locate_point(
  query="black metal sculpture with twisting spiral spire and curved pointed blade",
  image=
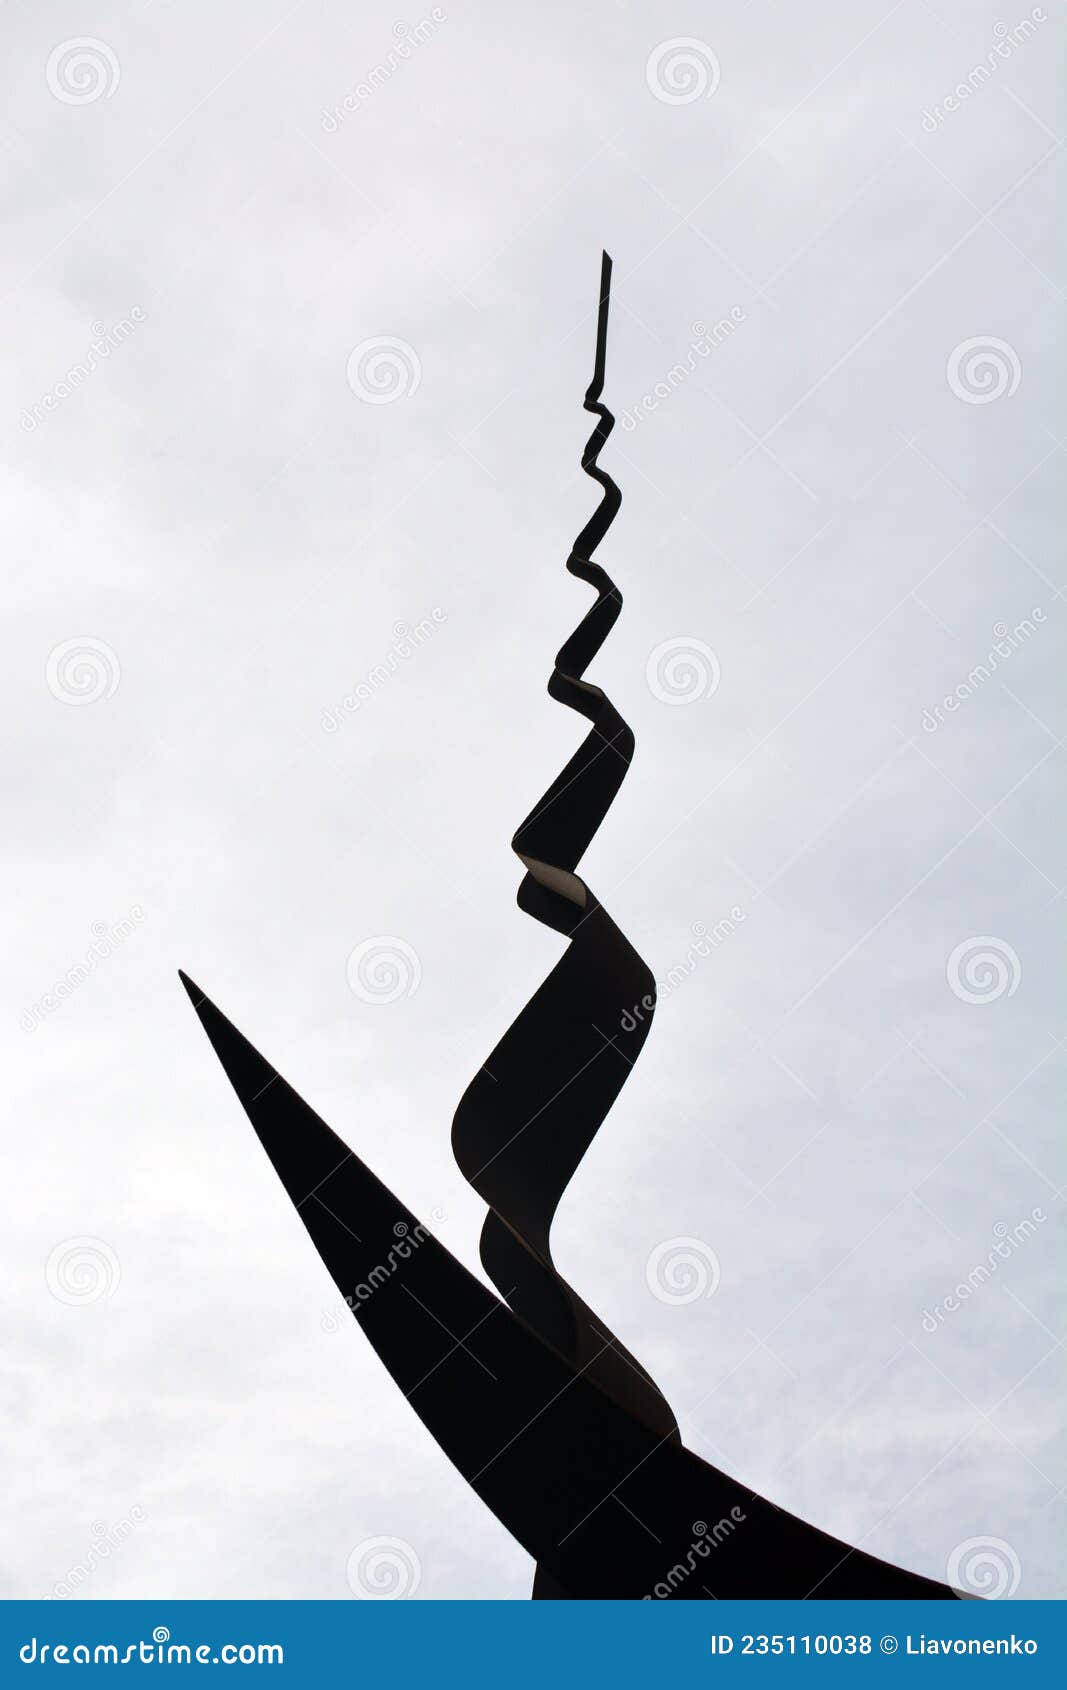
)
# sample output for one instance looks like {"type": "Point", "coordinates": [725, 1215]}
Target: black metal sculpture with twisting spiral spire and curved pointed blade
{"type": "Point", "coordinates": [545, 1414]}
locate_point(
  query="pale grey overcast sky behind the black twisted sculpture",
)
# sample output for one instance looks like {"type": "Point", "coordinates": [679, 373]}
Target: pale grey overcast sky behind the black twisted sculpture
{"type": "Point", "coordinates": [214, 537]}
